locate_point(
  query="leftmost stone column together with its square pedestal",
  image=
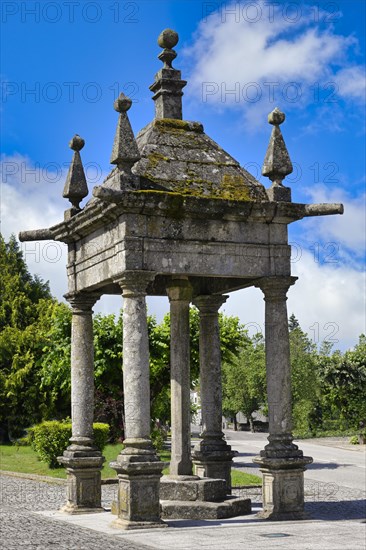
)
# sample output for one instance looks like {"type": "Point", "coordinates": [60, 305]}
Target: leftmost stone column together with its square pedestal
{"type": "Point", "coordinates": [82, 459]}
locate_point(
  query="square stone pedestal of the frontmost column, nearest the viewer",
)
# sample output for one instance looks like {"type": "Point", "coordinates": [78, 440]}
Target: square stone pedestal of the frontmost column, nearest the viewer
{"type": "Point", "coordinates": [139, 483]}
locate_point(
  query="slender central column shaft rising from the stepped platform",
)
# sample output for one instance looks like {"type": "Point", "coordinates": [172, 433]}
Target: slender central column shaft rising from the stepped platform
{"type": "Point", "coordinates": [180, 295]}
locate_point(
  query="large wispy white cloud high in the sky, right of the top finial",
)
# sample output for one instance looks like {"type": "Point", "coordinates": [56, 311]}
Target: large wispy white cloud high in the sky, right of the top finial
{"type": "Point", "coordinates": [277, 59]}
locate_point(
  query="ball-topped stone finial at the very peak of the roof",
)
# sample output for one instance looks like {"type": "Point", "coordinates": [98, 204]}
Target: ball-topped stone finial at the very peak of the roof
{"type": "Point", "coordinates": [168, 85]}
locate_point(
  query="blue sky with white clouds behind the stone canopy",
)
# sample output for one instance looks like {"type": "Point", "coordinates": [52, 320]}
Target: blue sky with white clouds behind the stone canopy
{"type": "Point", "coordinates": [63, 63]}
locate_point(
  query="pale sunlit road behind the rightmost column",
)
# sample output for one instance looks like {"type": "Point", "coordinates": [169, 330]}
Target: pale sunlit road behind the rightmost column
{"type": "Point", "coordinates": [333, 464]}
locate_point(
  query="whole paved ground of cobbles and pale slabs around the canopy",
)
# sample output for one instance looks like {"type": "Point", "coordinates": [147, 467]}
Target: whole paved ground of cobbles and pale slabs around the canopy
{"type": "Point", "coordinates": [29, 520]}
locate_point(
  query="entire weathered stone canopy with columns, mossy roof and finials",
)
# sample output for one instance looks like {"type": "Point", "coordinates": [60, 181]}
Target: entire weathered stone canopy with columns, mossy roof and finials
{"type": "Point", "coordinates": [178, 217]}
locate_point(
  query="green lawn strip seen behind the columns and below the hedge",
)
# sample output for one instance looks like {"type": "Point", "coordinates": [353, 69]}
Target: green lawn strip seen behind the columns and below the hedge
{"type": "Point", "coordinates": [23, 459]}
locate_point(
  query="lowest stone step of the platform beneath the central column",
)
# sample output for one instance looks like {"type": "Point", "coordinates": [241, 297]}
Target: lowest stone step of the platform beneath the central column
{"type": "Point", "coordinates": [229, 508]}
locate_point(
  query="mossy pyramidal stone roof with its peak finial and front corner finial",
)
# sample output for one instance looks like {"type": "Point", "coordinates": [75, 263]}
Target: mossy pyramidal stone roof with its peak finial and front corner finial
{"type": "Point", "coordinates": [176, 155]}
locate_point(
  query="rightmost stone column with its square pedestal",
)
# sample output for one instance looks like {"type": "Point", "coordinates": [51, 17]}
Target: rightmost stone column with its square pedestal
{"type": "Point", "coordinates": [282, 463]}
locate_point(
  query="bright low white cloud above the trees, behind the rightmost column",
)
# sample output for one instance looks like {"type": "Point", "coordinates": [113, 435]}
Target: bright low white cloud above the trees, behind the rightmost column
{"type": "Point", "coordinates": [327, 300]}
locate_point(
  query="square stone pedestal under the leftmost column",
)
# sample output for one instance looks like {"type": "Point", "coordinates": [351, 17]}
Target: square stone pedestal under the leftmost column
{"type": "Point", "coordinates": [83, 490]}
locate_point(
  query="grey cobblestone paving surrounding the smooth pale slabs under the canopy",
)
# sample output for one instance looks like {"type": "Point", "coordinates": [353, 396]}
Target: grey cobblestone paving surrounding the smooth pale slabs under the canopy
{"type": "Point", "coordinates": [22, 529]}
